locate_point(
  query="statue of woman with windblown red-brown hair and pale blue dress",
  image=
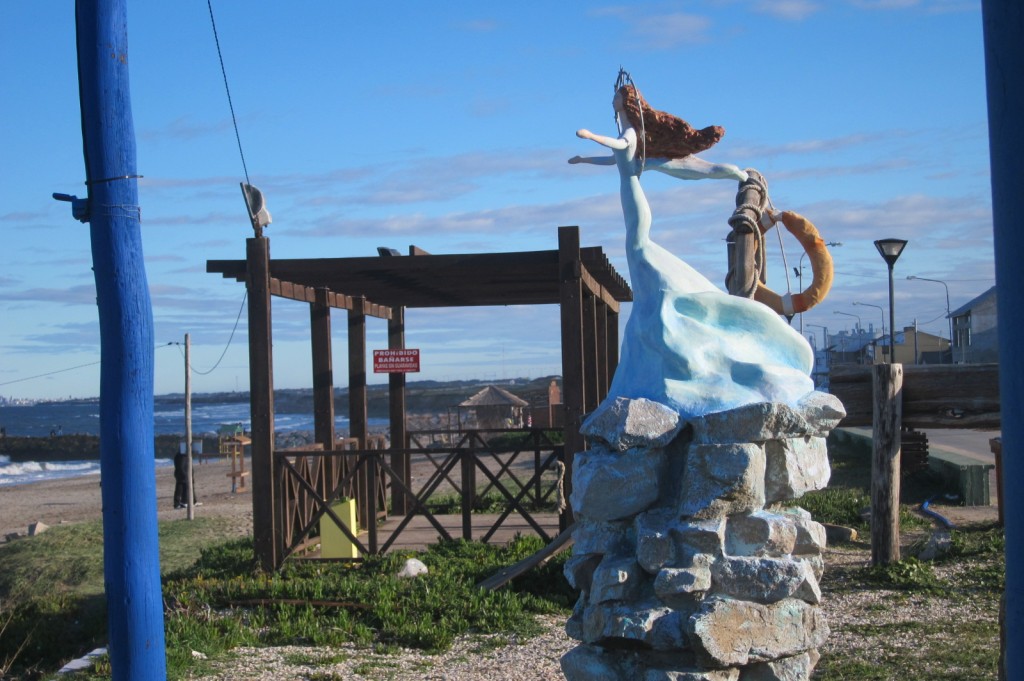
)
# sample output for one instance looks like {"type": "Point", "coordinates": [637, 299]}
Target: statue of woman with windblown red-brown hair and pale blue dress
{"type": "Point", "coordinates": [689, 345]}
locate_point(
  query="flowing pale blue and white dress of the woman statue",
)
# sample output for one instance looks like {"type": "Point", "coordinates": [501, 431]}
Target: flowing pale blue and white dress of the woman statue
{"type": "Point", "coordinates": [689, 345]}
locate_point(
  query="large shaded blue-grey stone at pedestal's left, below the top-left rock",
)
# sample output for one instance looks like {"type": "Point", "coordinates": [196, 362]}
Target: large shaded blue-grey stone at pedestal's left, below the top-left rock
{"type": "Point", "coordinates": [610, 487]}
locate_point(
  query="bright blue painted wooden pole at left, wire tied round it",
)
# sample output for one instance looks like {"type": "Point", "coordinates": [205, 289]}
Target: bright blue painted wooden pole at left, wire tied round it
{"type": "Point", "coordinates": [132, 562]}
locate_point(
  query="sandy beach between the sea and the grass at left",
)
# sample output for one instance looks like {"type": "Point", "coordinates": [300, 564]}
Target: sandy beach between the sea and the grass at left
{"type": "Point", "coordinates": [78, 499]}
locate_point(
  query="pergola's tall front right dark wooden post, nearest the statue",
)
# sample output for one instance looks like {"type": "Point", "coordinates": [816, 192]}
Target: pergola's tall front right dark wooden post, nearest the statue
{"type": "Point", "coordinates": [571, 294]}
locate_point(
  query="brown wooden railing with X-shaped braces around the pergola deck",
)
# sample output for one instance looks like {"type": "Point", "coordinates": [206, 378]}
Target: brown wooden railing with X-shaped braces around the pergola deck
{"type": "Point", "coordinates": [521, 477]}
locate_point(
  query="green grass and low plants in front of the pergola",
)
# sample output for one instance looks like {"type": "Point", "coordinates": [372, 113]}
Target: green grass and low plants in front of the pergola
{"type": "Point", "coordinates": [220, 602]}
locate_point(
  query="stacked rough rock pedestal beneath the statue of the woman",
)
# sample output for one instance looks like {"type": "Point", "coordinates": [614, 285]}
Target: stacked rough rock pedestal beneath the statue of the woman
{"type": "Point", "coordinates": [692, 561]}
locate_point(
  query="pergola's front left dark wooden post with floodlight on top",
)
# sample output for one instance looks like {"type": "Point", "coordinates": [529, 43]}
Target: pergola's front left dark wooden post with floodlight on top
{"type": "Point", "coordinates": [267, 530]}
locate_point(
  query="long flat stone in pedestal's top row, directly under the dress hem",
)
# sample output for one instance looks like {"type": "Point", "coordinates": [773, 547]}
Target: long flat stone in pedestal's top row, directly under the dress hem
{"type": "Point", "coordinates": [752, 423]}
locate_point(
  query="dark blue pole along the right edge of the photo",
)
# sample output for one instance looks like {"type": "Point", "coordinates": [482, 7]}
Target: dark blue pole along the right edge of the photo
{"type": "Point", "coordinates": [1004, 26]}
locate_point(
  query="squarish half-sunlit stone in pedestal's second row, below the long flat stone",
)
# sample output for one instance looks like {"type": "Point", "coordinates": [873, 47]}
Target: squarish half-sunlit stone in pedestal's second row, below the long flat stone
{"type": "Point", "coordinates": [722, 480]}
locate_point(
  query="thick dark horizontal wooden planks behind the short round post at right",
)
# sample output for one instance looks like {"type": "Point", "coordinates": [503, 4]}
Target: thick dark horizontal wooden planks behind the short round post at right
{"type": "Point", "coordinates": [934, 397]}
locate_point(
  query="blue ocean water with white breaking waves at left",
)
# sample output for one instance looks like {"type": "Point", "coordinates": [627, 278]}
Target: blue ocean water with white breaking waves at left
{"type": "Point", "coordinates": [83, 418]}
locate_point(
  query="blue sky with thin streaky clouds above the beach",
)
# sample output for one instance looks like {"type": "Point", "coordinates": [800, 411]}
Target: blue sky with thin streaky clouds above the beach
{"type": "Point", "coordinates": [449, 125]}
